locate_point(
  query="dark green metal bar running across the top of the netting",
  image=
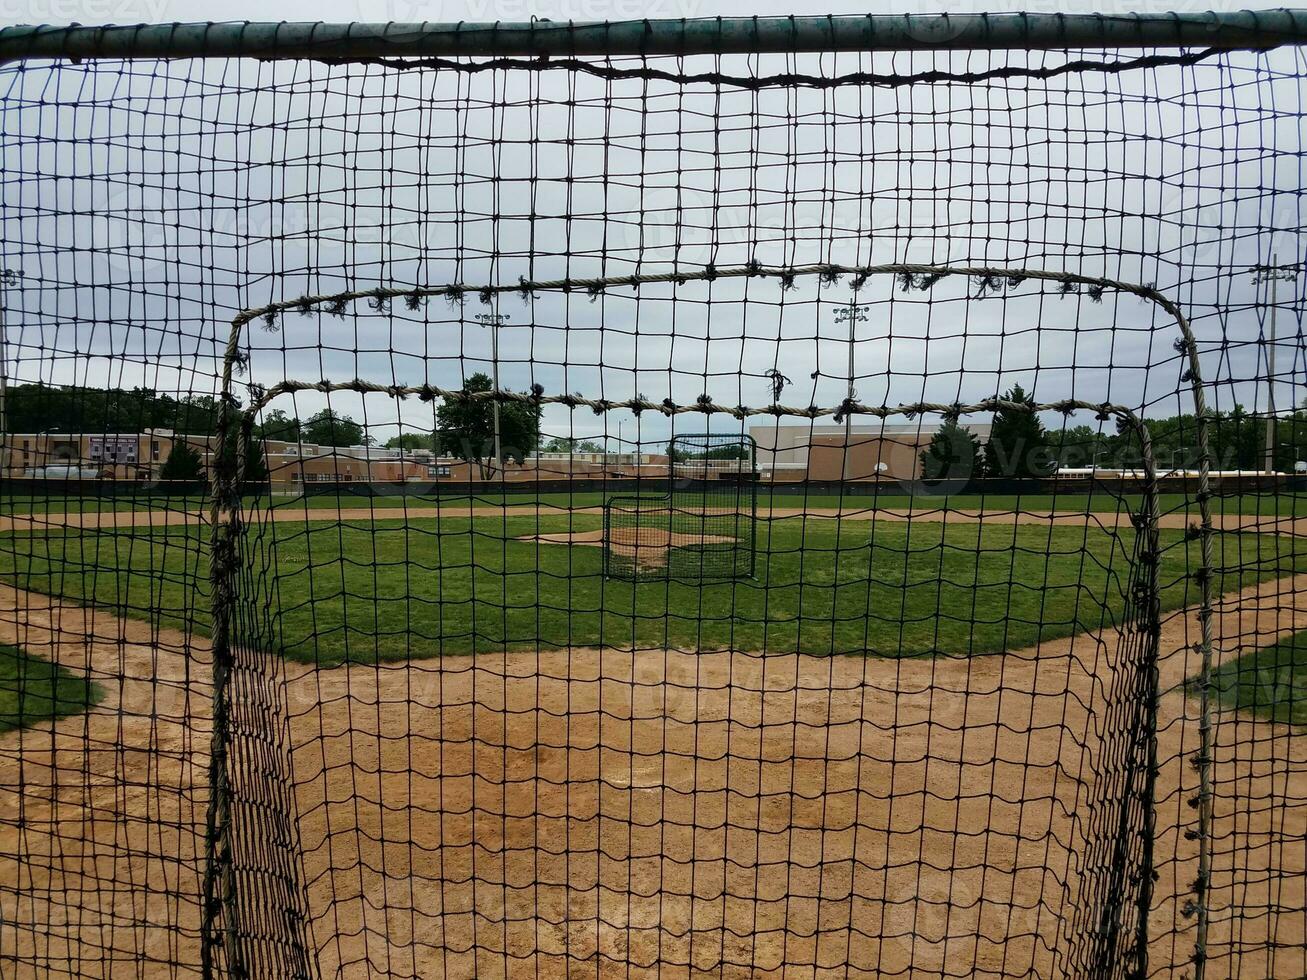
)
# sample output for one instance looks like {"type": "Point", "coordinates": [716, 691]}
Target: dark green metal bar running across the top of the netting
{"type": "Point", "coordinates": [1244, 29]}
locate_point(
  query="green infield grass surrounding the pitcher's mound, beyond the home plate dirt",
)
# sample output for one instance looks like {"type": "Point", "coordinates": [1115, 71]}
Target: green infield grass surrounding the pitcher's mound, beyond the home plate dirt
{"type": "Point", "coordinates": [389, 590]}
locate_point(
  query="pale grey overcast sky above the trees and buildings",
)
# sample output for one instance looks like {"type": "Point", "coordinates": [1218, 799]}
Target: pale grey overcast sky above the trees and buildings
{"type": "Point", "coordinates": [147, 203]}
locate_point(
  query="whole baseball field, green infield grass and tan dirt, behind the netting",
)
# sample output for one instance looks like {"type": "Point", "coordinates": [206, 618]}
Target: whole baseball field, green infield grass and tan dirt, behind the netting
{"type": "Point", "coordinates": [879, 752]}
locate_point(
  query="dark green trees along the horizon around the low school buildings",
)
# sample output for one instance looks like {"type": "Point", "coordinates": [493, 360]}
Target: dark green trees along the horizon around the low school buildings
{"type": "Point", "coordinates": [1019, 446]}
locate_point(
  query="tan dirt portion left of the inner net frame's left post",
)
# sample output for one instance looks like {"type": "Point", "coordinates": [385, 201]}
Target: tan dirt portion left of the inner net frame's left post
{"type": "Point", "coordinates": [103, 815]}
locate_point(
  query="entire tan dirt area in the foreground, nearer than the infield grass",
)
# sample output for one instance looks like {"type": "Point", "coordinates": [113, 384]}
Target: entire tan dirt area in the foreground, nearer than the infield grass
{"type": "Point", "coordinates": [607, 813]}
